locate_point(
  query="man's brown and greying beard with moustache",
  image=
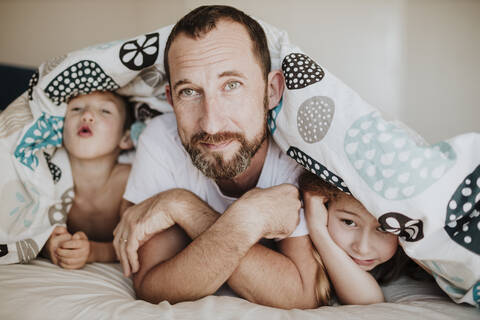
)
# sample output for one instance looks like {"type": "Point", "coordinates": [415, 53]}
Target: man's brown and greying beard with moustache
{"type": "Point", "coordinates": [219, 168]}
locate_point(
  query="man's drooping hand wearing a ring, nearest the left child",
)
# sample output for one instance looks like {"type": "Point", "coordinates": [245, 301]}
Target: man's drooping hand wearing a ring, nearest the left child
{"type": "Point", "coordinates": [137, 225]}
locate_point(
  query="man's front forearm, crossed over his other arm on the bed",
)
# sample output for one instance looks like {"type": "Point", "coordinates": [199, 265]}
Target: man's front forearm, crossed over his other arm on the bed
{"type": "Point", "coordinates": [201, 268]}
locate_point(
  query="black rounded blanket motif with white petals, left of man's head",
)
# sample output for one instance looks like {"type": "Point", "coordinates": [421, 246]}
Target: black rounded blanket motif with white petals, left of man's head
{"type": "Point", "coordinates": [140, 53]}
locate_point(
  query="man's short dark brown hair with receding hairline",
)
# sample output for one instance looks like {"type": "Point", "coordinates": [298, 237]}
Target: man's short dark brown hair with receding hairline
{"type": "Point", "coordinates": [203, 19]}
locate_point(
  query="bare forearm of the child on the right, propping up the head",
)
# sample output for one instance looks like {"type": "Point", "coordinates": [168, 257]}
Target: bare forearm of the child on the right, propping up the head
{"type": "Point", "coordinates": [352, 284]}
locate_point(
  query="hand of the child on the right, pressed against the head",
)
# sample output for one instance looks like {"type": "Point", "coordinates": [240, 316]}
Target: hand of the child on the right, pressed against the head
{"type": "Point", "coordinates": [315, 211]}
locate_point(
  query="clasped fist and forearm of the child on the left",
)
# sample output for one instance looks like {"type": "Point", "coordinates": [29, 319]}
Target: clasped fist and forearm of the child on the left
{"type": "Point", "coordinates": [78, 251]}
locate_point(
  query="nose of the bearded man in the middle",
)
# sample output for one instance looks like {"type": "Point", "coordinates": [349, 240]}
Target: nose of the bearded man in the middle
{"type": "Point", "coordinates": [213, 118]}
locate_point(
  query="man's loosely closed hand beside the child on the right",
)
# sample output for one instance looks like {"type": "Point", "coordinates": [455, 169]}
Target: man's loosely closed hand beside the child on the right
{"type": "Point", "coordinates": [275, 209]}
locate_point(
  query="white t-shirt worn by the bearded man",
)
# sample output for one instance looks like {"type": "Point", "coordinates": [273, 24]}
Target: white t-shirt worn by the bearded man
{"type": "Point", "coordinates": [162, 163]}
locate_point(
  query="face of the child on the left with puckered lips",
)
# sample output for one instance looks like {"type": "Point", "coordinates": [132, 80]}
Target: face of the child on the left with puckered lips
{"type": "Point", "coordinates": [94, 125]}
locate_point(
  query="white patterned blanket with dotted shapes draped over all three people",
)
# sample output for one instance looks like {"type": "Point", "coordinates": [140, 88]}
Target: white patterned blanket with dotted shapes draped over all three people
{"type": "Point", "coordinates": [428, 195]}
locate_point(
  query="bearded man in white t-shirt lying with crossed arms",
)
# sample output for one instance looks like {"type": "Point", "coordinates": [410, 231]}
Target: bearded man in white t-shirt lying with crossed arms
{"type": "Point", "coordinates": [221, 88]}
